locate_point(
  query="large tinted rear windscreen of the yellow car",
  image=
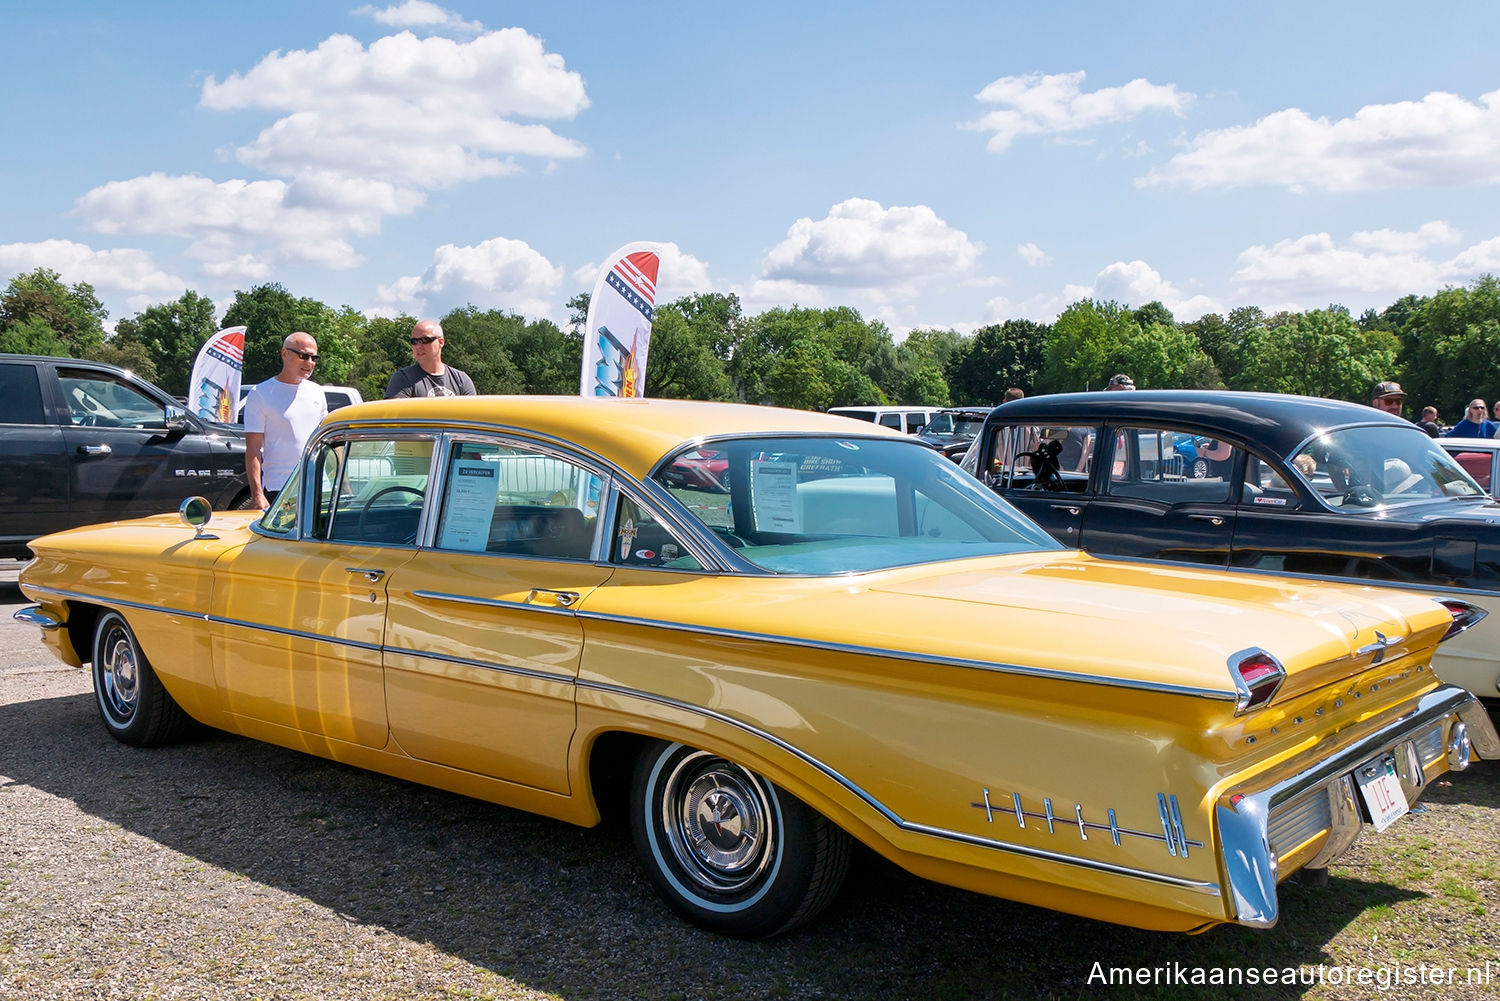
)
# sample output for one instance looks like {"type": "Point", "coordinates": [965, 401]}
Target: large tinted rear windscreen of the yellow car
{"type": "Point", "coordinates": [815, 505]}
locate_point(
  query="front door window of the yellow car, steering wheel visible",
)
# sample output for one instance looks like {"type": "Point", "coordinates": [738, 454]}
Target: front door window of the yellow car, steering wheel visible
{"type": "Point", "coordinates": [373, 490]}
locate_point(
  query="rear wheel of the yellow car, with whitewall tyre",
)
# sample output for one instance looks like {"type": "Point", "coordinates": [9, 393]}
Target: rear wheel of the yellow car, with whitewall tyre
{"type": "Point", "coordinates": [728, 850]}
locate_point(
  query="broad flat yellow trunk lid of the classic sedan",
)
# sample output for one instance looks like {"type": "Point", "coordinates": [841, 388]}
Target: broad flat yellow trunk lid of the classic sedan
{"type": "Point", "coordinates": [1150, 625]}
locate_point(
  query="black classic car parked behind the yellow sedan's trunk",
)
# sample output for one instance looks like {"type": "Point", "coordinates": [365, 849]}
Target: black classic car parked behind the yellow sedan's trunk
{"type": "Point", "coordinates": [1259, 482]}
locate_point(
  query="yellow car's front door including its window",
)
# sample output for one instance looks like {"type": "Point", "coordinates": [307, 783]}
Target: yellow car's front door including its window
{"type": "Point", "coordinates": [301, 621]}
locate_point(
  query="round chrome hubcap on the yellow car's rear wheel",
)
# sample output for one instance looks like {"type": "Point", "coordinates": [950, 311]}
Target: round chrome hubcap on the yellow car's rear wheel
{"type": "Point", "coordinates": [718, 822]}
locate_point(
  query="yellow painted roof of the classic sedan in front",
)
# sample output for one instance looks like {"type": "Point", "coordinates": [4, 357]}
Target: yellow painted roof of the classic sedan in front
{"type": "Point", "coordinates": [635, 433]}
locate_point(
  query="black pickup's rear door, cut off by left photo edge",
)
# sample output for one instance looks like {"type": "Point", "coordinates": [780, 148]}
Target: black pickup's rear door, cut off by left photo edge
{"type": "Point", "coordinates": [34, 464]}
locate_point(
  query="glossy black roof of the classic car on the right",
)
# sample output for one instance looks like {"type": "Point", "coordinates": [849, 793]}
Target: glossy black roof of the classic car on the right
{"type": "Point", "coordinates": [1276, 421]}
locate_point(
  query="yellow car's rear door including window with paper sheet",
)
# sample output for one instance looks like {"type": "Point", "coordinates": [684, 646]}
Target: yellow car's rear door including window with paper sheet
{"type": "Point", "coordinates": [484, 639]}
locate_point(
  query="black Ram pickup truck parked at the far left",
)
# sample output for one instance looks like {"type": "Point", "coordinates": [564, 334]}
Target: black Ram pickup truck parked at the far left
{"type": "Point", "coordinates": [83, 442]}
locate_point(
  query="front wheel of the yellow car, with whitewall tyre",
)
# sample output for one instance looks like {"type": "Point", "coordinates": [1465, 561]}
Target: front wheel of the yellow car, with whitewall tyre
{"type": "Point", "coordinates": [137, 711]}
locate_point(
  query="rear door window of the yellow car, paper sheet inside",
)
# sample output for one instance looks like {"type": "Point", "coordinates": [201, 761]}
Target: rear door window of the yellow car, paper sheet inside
{"type": "Point", "coordinates": [518, 502]}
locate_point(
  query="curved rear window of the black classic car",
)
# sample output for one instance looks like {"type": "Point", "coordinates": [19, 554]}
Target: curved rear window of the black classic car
{"type": "Point", "coordinates": [1363, 469]}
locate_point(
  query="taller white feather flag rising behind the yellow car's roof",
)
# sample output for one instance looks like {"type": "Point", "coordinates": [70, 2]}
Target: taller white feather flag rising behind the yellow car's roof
{"type": "Point", "coordinates": [619, 329]}
